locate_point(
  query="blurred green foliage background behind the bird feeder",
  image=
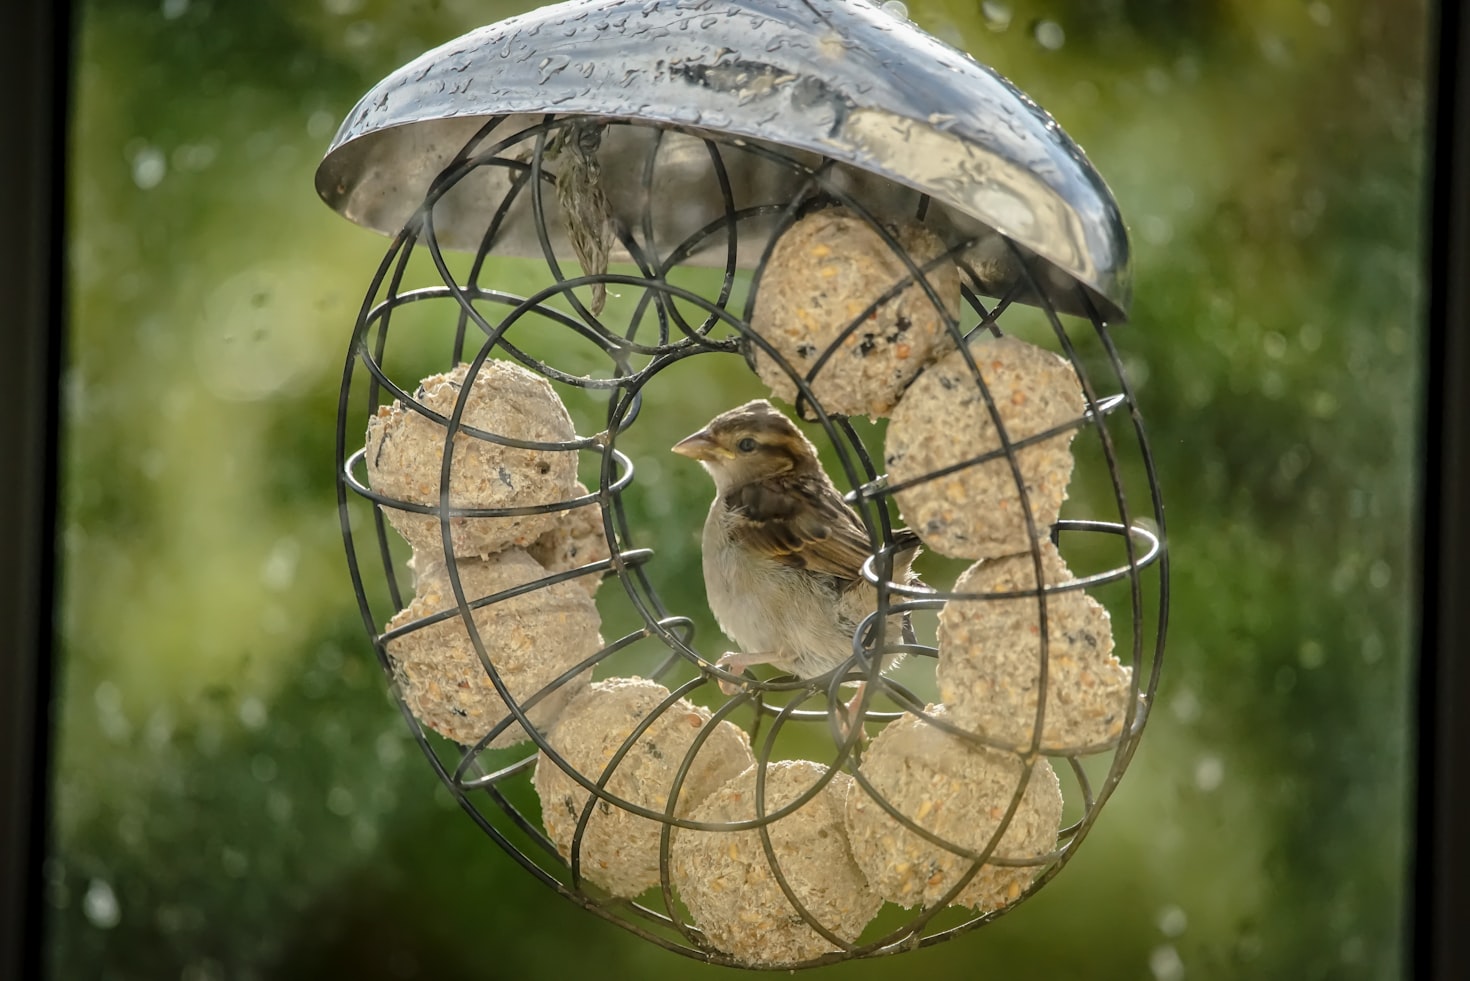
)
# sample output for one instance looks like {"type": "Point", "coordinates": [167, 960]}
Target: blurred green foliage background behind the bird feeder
{"type": "Point", "coordinates": [237, 798]}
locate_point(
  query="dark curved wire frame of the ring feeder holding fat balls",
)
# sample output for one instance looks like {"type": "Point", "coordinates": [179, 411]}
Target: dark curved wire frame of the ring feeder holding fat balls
{"type": "Point", "coordinates": [670, 324]}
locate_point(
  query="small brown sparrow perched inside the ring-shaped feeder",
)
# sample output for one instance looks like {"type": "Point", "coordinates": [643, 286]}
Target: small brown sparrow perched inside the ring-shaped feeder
{"type": "Point", "coordinates": [783, 552]}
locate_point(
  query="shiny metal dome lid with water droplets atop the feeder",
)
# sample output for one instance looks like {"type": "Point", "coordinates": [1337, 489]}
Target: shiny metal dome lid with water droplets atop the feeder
{"type": "Point", "coordinates": [840, 80]}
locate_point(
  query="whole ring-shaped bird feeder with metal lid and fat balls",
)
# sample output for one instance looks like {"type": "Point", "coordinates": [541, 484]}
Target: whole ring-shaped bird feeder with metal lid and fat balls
{"type": "Point", "coordinates": [878, 227]}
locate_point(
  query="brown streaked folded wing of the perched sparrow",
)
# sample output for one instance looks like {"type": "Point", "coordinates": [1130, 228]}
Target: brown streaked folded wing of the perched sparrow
{"type": "Point", "coordinates": [802, 523]}
